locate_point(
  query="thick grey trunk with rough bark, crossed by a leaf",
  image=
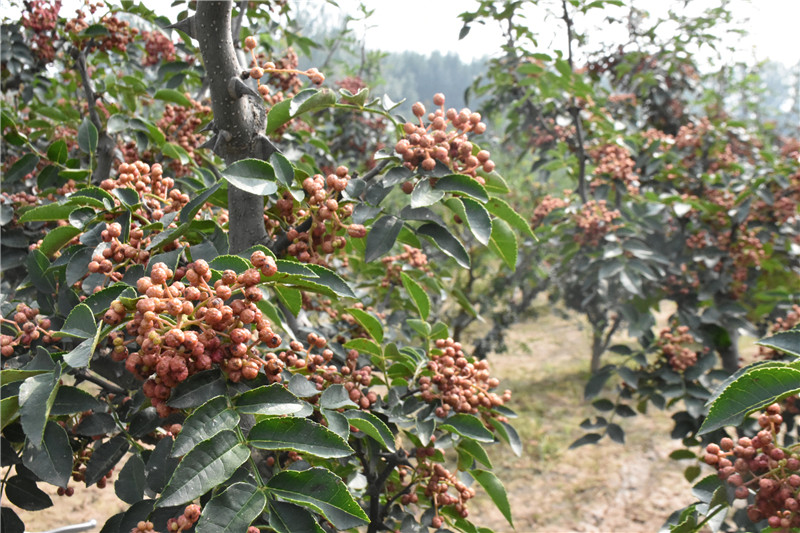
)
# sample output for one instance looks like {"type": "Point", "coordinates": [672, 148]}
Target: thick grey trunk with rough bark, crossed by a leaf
{"type": "Point", "coordinates": [239, 118]}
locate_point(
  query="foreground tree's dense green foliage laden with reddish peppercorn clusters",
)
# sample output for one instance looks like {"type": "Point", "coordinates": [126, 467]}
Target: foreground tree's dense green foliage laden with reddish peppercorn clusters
{"type": "Point", "coordinates": [357, 409]}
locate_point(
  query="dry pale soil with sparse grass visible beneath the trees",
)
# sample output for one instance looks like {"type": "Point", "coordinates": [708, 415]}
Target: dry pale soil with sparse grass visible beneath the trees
{"type": "Point", "coordinates": [602, 488]}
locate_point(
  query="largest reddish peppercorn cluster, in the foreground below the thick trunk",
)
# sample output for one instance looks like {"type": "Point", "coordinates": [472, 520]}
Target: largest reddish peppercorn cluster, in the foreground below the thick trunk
{"type": "Point", "coordinates": [182, 328]}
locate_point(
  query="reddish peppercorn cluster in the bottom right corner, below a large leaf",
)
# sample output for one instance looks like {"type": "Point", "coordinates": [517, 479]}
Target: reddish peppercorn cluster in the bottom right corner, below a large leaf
{"type": "Point", "coordinates": [761, 467]}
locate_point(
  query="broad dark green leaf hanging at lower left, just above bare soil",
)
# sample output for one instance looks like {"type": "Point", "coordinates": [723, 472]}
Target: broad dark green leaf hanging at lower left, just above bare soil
{"type": "Point", "coordinates": [52, 461]}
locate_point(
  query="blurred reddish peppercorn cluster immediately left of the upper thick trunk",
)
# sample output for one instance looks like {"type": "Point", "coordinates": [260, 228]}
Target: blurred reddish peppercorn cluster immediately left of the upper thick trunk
{"type": "Point", "coordinates": [179, 124]}
